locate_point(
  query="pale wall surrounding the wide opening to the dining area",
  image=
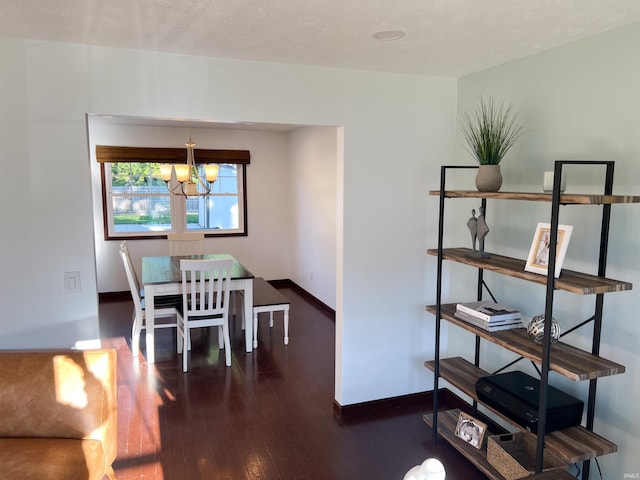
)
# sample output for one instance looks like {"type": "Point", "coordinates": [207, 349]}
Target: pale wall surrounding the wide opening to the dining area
{"type": "Point", "coordinates": [397, 129]}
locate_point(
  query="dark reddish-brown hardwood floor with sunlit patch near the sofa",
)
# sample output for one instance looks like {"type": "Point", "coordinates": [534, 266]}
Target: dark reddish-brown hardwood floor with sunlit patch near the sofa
{"type": "Point", "coordinates": [268, 416]}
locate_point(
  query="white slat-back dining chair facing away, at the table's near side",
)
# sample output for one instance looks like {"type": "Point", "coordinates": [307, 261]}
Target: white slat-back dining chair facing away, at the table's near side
{"type": "Point", "coordinates": [205, 302]}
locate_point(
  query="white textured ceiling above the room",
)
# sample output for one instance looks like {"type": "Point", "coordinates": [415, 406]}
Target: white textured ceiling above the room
{"type": "Point", "coordinates": [443, 37]}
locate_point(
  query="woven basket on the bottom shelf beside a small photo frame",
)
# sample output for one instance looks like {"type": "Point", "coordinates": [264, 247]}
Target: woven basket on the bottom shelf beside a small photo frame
{"type": "Point", "coordinates": [514, 455]}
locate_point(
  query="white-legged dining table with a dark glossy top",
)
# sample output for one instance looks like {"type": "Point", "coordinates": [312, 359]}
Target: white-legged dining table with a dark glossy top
{"type": "Point", "coordinates": [161, 276]}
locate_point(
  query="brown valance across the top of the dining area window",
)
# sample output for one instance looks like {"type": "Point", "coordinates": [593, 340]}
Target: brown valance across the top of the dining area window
{"type": "Point", "coordinates": [112, 154]}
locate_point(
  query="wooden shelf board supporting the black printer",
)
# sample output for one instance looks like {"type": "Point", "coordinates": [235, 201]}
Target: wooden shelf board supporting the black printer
{"type": "Point", "coordinates": [574, 444]}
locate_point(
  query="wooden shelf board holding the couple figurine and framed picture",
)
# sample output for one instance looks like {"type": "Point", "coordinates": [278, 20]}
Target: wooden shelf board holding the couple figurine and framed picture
{"type": "Point", "coordinates": [570, 281]}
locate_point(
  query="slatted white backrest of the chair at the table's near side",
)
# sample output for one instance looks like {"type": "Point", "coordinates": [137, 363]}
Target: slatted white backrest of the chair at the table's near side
{"type": "Point", "coordinates": [206, 287]}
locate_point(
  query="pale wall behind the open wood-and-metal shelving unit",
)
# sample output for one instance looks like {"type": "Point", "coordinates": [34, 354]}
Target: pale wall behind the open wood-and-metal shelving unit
{"type": "Point", "coordinates": [581, 101]}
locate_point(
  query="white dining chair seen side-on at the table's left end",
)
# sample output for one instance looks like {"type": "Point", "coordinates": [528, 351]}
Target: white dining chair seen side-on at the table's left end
{"type": "Point", "coordinates": [165, 307]}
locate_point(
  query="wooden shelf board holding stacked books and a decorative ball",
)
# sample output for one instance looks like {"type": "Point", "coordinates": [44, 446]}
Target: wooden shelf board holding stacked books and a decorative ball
{"type": "Point", "coordinates": [566, 360]}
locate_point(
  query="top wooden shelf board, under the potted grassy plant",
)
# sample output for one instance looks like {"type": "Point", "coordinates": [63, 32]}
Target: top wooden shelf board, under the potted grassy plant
{"type": "Point", "coordinates": [565, 198]}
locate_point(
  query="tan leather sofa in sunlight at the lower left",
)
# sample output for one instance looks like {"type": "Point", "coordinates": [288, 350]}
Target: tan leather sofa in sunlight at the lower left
{"type": "Point", "coordinates": [58, 414]}
